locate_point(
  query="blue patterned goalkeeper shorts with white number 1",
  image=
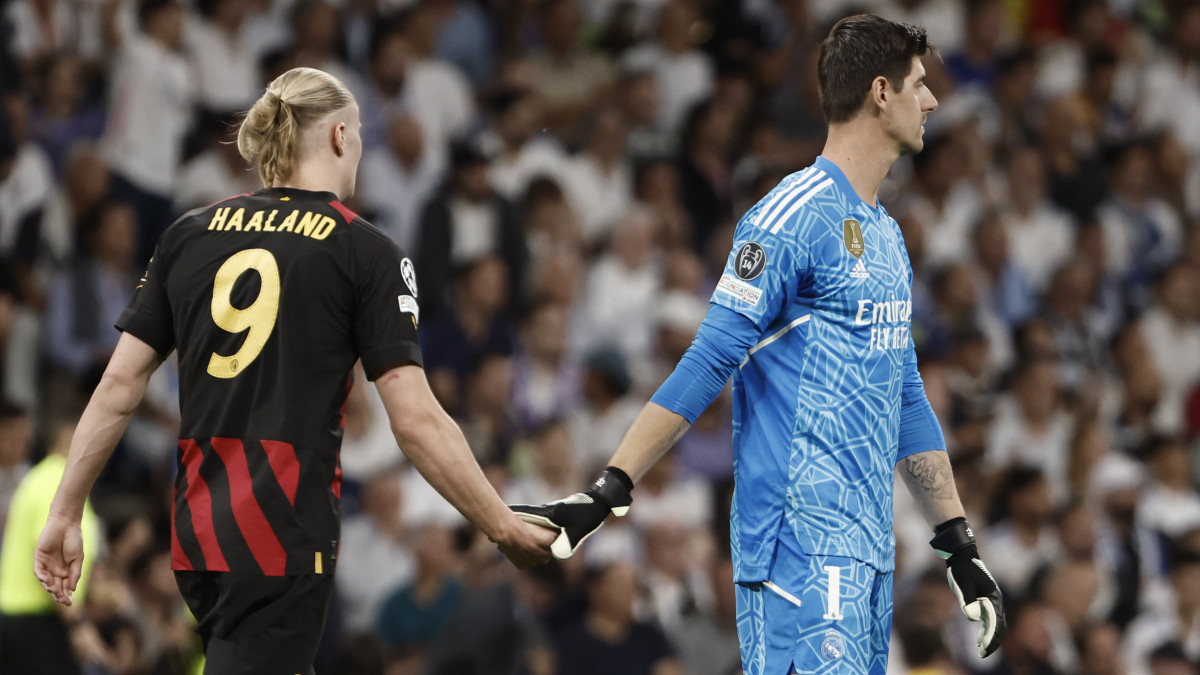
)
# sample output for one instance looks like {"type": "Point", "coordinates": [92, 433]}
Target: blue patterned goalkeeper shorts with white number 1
{"type": "Point", "coordinates": [796, 625]}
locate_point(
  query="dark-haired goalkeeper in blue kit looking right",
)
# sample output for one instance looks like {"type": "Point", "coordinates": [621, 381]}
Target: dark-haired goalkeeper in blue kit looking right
{"type": "Point", "coordinates": [812, 319]}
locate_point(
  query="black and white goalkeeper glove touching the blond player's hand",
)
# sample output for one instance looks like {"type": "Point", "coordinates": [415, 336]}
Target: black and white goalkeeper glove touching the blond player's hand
{"type": "Point", "coordinates": [581, 515]}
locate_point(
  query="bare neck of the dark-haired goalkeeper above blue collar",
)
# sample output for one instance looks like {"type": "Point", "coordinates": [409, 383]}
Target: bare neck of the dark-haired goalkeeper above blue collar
{"type": "Point", "coordinates": [863, 153]}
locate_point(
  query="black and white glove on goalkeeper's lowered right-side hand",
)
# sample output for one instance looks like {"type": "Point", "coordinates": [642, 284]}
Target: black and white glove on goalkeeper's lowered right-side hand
{"type": "Point", "coordinates": [973, 584]}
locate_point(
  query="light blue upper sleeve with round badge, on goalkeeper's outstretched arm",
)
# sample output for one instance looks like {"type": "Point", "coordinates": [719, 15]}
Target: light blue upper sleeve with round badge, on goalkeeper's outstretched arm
{"type": "Point", "coordinates": [761, 273]}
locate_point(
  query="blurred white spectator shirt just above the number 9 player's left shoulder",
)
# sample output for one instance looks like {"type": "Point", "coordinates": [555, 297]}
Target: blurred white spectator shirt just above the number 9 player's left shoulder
{"type": "Point", "coordinates": [149, 110]}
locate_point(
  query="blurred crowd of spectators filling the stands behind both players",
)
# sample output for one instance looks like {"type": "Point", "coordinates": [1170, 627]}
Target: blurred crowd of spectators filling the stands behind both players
{"type": "Point", "coordinates": [567, 176]}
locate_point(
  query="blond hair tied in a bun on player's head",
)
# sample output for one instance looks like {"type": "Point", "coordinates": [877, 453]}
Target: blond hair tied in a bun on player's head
{"type": "Point", "coordinates": [271, 133]}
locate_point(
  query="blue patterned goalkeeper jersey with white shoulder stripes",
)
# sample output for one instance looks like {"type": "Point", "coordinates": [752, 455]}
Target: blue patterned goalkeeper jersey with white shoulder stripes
{"type": "Point", "coordinates": [819, 399]}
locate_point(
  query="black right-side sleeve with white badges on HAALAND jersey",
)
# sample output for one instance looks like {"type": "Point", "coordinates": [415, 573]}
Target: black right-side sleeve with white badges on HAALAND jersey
{"type": "Point", "coordinates": [387, 312]}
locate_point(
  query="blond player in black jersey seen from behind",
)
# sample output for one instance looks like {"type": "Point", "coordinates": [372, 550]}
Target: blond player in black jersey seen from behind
{"type": "Point", "coordinates": [269, 300]}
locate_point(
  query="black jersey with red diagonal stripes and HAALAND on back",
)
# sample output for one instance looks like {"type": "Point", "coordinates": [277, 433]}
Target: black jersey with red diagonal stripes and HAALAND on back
{"type": "Point", "coordinates": [269, 300]}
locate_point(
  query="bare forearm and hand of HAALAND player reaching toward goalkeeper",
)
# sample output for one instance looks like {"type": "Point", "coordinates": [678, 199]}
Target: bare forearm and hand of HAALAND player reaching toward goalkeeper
{"type": "Point", "coordinates": [437, 449]}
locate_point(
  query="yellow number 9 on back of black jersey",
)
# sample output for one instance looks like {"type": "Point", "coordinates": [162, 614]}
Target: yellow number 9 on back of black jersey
{"type": "Point", "coordinates": [259, 318]}
